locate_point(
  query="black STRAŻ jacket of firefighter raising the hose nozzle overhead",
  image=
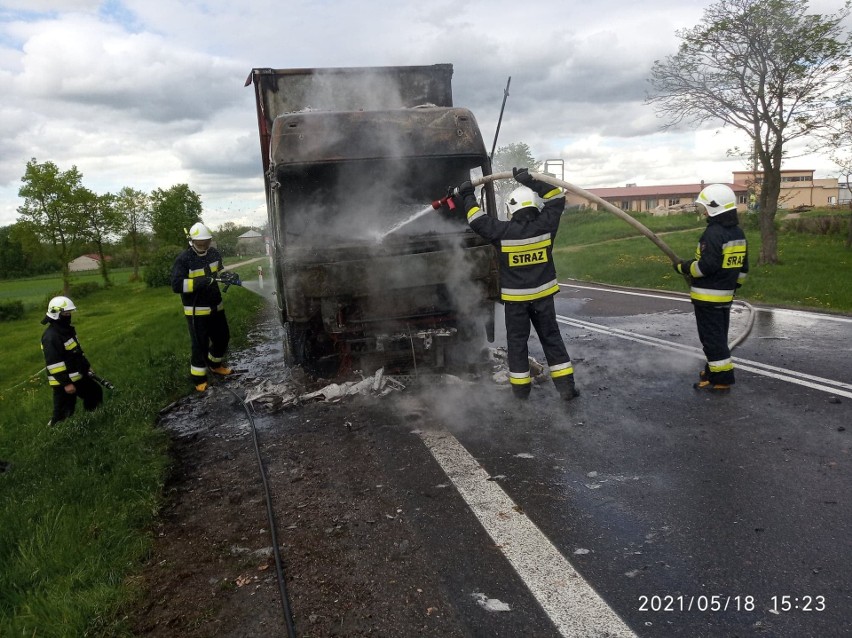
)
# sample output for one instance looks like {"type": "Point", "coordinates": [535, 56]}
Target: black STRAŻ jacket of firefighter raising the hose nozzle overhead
{"type": "Point", "coordinates": [525, 244]}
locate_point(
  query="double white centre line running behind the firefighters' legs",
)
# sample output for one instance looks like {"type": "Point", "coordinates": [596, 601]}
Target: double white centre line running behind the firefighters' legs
{"type": "Point", "coordinates": [783, 374]}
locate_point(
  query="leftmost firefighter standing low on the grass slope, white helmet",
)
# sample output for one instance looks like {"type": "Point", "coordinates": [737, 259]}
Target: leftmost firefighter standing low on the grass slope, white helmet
{"type": "Point", "coordinates": [68, 369]}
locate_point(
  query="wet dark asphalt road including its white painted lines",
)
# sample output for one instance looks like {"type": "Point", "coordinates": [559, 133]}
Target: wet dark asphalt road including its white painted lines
{"type": "Point", "coordinates": [645, 508]}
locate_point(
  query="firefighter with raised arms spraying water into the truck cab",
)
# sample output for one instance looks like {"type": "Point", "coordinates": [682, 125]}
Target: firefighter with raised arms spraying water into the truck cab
{"type": "Point", "coordinates": [527, 276]}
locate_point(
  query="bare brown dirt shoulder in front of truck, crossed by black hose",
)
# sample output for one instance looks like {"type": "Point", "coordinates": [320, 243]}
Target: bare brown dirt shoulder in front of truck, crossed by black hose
{"type": "Point", "coordinates": [353, 561]}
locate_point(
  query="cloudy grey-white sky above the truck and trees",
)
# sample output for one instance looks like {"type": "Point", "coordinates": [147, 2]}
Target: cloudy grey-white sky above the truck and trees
{"type": "Point", "coordinates": [150, 93]}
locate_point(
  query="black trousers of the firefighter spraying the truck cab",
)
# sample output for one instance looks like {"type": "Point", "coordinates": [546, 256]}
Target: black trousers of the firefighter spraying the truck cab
{"type": "Point", "coordinates": [541, 313]}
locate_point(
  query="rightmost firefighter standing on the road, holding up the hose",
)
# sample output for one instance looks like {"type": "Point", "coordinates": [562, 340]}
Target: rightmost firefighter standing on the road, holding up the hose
{"type": "Point", "coordinates": [719, 268]}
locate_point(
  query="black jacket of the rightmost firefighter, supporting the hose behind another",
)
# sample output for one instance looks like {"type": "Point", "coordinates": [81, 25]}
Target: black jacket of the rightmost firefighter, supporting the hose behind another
{"type": "Point", "coordinates": [721, 261]}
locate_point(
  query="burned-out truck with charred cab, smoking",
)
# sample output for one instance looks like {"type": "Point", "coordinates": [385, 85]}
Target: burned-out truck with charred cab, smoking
{"type": "Point", "coordinates": [367, 272]}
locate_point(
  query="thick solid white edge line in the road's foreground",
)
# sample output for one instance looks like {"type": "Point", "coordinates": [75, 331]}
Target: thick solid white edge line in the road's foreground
{"type": "Point", "coordinates": [574, 607]}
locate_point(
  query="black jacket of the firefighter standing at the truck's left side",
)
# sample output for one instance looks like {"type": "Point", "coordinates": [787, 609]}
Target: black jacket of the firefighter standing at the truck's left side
{"type": "Point", "coordinates": [192, 278]}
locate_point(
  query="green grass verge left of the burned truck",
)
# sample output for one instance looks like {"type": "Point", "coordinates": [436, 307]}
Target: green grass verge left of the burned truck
{"type": "Point", "coordinates": [79, 498]}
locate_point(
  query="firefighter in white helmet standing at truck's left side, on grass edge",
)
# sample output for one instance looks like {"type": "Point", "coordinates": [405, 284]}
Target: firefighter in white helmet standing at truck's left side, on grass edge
{"type": "Point", "coordinates": [194, 277]}
